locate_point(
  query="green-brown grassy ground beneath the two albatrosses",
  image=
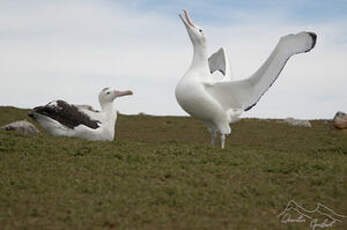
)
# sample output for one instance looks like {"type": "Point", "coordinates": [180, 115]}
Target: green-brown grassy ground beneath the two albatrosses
{"type": "Point", "coordinates": [160, 173]}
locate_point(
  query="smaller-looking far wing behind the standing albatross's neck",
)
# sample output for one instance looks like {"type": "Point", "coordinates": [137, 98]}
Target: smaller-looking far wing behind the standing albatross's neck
{"type": "Point", "coordinates": [219, 61]}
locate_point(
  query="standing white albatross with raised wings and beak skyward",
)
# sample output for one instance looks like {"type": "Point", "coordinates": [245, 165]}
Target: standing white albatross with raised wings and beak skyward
{"type": "Point", "coordinates": [219, 103]}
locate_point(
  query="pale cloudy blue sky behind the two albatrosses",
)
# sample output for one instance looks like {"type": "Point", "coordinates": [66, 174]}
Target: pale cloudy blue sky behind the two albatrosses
{"type": "Point", "coordinates": [72, 49]}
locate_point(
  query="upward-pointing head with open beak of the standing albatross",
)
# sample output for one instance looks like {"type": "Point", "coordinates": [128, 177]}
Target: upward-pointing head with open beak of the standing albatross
{"type": "Point", "coordinates": [196, 34]}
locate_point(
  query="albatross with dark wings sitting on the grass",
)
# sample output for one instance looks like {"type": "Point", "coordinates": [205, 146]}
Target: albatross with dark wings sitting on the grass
{"type": "Point", "coordinates": [60, 118]}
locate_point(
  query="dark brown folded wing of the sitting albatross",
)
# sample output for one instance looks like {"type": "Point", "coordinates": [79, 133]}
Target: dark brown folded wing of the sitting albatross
{"type": "Point", "coordinates": [67, 114]}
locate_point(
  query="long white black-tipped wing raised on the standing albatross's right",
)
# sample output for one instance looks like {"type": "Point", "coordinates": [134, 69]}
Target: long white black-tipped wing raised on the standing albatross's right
{"type": "Point", "coordinates": [244, 94]}
